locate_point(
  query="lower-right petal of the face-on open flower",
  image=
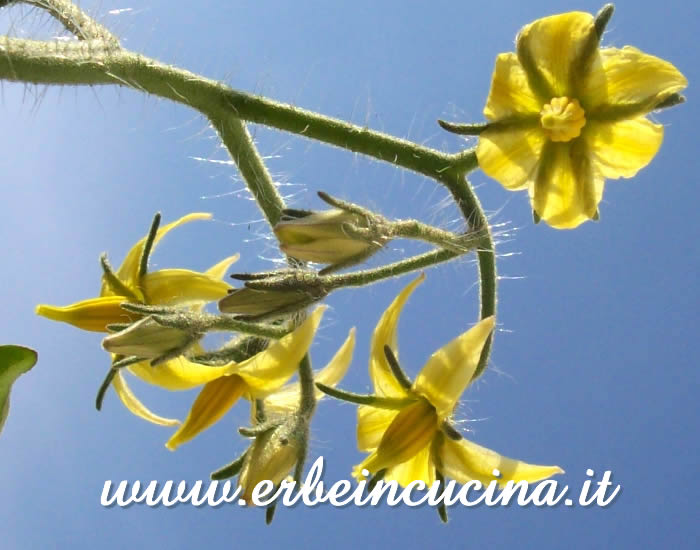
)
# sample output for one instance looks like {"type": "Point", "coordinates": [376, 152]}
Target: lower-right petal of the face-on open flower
{"type": "Point", "coordinates": [621, 149]}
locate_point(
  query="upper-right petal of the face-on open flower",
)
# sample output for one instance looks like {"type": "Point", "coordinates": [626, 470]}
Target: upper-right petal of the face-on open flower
{"type": "Point", "coordinates": [627, 75]}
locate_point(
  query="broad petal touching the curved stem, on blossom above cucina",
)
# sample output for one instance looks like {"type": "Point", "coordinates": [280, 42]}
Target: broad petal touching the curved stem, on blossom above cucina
{"type": "Point", "coordinates": [450, 369]}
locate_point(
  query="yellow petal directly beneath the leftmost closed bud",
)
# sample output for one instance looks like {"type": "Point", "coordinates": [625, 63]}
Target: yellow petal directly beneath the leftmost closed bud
{"type": "Point", "coordinates": [178, 373]}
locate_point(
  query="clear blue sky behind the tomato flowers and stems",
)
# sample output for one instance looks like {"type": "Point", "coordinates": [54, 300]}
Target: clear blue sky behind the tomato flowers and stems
{"type": "Point", "coordinates": [595, 364]}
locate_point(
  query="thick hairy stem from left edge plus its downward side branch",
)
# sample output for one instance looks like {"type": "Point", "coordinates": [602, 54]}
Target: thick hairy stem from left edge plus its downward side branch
{"type": "Point", "coordinates": [92, 62]}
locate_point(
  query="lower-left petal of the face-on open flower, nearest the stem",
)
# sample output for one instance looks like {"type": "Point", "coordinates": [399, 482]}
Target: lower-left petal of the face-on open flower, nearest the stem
{"type": "Point", "coordinates": [510, 156]}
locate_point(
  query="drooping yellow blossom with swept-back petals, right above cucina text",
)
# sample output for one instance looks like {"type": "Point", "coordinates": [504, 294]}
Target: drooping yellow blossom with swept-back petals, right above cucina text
{"type": "Point", "coordinates": [409, 443]}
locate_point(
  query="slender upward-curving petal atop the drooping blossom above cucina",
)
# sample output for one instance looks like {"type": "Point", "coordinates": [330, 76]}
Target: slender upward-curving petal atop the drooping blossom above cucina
{"type": "Point", "coordinates": [385, 335]}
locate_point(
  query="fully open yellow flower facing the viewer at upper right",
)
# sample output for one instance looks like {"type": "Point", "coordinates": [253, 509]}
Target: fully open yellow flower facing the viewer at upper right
{"type": "Point", "coordinates": [564, 115]}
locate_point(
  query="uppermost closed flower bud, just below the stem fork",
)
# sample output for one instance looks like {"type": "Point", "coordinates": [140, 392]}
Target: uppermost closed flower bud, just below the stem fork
{"type": "Point", "coordinates": [323, 237]}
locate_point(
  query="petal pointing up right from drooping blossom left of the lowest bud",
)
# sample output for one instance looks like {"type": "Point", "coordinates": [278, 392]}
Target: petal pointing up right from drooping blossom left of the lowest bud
{"type": "Point", "coordinates": [270, 369]}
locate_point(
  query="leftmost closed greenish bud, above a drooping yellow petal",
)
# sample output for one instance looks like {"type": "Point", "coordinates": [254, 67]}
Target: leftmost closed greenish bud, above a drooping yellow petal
{"type": "Point", "coordinates": [146, 338]}
